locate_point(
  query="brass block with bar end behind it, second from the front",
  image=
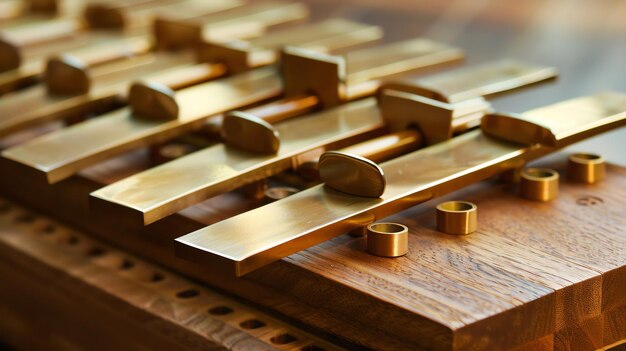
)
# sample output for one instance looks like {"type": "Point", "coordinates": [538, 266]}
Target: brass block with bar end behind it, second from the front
{"type": "Point", "coordinates": [441, 104]}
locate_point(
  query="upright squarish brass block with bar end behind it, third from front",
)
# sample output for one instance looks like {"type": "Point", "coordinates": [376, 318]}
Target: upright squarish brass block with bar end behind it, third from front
{"type": "Point", "coordinates": [334, 79]}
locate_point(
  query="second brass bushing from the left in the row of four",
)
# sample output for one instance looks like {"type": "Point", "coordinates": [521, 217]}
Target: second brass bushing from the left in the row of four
{"type": "Point", "coordinates": [457, 217]}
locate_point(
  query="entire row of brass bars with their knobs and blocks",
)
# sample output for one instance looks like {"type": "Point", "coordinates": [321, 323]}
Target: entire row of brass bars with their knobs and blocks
{"type": "Point", "coordinates": [266, 94]}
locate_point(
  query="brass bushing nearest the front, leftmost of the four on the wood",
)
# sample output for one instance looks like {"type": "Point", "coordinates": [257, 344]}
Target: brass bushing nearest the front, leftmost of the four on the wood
{"type": "Point", "coordinates": [387, 239]}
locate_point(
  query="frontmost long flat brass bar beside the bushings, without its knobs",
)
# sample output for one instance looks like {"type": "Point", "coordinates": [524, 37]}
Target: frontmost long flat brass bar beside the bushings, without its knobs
{"type": "Point", "coordinates": [256, 238]}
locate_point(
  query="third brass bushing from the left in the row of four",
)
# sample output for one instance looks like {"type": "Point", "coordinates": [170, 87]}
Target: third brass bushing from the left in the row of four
{"type": "Point", "coordinates": [539, 184]}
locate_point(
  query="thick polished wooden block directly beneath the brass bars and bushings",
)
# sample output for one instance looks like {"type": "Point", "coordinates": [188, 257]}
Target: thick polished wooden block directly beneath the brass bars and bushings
{"type": "Point", "coordinates": [532, 270]}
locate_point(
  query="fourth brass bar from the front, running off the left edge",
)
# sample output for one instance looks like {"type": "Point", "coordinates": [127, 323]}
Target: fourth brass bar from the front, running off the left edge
{"type": "Point", "coordinates": [33, 106]}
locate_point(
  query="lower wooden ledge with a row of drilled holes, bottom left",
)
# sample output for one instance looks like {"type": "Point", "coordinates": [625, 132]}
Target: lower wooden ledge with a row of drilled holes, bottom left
{"type": "Point", "coordinates": [64, 291]}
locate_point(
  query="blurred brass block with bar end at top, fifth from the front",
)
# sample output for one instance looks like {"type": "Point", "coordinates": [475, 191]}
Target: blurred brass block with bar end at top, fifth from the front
{"type": "Point", "coordinates": [173, 32]}
